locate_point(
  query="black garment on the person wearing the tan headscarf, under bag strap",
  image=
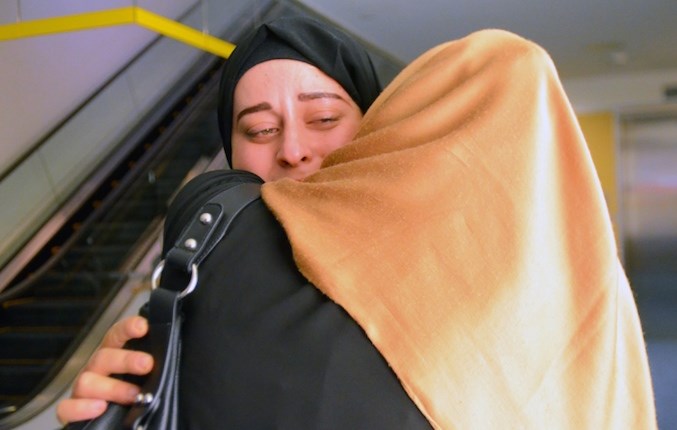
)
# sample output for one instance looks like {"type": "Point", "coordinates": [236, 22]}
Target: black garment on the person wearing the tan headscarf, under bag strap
{"type": "Point", "coordinates": [263, 348]}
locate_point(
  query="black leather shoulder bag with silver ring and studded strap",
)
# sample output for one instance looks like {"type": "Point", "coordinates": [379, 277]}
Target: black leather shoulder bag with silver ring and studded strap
{"type": "Point", "coordinates": [175, 277]}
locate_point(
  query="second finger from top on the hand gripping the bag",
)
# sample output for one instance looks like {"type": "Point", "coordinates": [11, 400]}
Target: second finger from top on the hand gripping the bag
{"type": "Point", "coordinates": [107, 361]}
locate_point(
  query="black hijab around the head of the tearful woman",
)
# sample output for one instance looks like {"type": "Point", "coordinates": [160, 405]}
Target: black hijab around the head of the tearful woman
{"type": "Point", "coordinates": [303, 39]}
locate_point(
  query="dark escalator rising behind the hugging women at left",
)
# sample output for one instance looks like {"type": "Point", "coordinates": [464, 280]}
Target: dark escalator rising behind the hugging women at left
{"type": "Point", "coordinates": [52, 305]}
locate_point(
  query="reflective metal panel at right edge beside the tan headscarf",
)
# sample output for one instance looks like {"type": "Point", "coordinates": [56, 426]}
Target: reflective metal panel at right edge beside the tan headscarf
{"type": "Point", "coordinates": [648, 189]}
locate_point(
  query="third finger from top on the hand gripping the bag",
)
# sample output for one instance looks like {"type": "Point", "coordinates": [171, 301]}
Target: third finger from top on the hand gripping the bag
{"type": "Point", "coordinates": [91, 385]}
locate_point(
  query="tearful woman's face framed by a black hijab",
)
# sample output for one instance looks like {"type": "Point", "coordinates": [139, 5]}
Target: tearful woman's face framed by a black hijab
{"type": "Point", "coordinates": [287, 117]}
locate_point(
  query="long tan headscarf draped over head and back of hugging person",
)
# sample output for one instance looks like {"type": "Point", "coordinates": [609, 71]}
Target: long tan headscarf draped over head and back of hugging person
{"type": "Point", "coordinates": [465, 230]}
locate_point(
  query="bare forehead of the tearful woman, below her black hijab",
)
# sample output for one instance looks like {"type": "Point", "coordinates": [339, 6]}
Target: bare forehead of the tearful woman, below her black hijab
{"type": "Point", "coordinates": [281, 76]}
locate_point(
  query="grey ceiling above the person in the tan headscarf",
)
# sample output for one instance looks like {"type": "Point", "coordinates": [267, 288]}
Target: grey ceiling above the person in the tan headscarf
{"type": "Point", "coordinates": [584, 37]}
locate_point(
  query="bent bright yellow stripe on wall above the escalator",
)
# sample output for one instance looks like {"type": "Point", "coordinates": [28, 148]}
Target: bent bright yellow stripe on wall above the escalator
{"type": "Point", "coordinates": [114, 17]}
